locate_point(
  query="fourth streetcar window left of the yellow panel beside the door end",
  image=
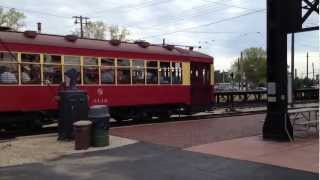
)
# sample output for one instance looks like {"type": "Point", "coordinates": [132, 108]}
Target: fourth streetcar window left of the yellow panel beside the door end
{"type": "Point", "coordinates": [138, 72]}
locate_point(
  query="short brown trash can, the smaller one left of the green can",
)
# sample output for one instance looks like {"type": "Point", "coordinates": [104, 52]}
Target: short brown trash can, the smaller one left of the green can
{"type": "Point", "coordinates": [82, 132]}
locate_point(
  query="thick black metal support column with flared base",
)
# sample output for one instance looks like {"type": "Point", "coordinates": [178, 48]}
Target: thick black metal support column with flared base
{"type": "Point", "coordinates": [277, 125]}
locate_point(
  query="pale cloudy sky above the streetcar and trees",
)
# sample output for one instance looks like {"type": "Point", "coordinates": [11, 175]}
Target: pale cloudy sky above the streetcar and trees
{"type": "Point", "coordinates": [222, 28]}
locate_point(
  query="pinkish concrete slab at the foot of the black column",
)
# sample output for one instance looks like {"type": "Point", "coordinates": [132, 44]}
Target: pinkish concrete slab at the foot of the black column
{"type": "Point", "coordinates": [302, 154]}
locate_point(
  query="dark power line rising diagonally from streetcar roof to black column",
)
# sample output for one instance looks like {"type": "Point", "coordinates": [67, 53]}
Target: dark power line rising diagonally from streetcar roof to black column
{"type": "Point", "coordinates": [207, 24]}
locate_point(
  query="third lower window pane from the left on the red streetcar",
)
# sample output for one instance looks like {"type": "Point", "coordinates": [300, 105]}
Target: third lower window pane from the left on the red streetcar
{"type": "Point", "coordinates": [52, 74]}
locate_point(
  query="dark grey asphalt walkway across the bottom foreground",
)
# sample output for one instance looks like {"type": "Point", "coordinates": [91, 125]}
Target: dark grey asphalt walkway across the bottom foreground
{"type": "Point", "coordinates": [143, 161]}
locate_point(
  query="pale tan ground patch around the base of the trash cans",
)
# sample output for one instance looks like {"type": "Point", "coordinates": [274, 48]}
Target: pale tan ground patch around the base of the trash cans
{"type": "Point", "coordinates": [41, 148]}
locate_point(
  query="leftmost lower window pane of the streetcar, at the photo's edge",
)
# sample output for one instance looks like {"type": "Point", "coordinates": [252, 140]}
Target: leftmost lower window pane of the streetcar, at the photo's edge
{"type": "Point", "coordinates": [8, 73]}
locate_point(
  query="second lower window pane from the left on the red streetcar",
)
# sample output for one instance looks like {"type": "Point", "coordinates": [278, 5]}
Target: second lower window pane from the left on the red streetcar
{"type": "Point", "coordinates": [30, 74]}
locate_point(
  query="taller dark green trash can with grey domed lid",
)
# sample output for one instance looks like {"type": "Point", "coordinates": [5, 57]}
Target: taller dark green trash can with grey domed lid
{"type": "Point", "coordinates": [99, 116]}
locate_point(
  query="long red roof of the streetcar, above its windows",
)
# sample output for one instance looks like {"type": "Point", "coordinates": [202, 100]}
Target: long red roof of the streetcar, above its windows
{"type": "Point", "coordinates": [14, 39]}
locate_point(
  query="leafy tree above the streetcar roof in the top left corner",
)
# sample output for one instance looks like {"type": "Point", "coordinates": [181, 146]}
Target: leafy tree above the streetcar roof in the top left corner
{"type": "Point", "coordinates": [12, 19]}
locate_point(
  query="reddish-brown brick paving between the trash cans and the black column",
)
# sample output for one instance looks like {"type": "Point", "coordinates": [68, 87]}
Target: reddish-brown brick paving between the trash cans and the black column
{"type": "Point", "coordinates": [190, 133]}
